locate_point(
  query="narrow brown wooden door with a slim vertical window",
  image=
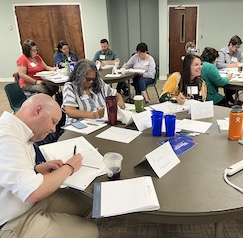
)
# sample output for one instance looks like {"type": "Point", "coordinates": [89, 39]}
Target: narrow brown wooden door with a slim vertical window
{"type": "Point", "coordinates": [182, 29]}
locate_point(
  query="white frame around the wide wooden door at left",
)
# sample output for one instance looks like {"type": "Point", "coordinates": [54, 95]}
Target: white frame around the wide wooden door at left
{"type": "Point", "coordinates": [46, 4]}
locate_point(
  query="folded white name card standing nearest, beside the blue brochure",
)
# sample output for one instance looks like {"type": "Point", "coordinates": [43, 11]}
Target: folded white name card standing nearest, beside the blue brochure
{"type": "Point", "coordinates": [162, 159]}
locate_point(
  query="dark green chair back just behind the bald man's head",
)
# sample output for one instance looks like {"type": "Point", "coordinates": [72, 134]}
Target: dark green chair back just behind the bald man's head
{"type": "Point", "coordinates": [15, 95]}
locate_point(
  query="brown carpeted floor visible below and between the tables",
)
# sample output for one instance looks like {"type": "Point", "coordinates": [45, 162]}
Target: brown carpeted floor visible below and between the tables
{"type": "Point", "coordinates": [120, 227]}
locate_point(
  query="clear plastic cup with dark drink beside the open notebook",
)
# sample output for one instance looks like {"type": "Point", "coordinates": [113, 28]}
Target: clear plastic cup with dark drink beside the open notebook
{"type": "Point", "coordinates": [113, 162]}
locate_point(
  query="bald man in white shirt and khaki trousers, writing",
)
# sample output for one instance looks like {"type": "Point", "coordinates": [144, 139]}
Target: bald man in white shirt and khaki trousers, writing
{"type": "Point", "coordinates": [31, 202]}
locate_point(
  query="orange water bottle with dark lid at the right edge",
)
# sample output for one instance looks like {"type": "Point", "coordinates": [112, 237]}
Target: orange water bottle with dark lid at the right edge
{"type": "Point", "coordinates": [235, 123]}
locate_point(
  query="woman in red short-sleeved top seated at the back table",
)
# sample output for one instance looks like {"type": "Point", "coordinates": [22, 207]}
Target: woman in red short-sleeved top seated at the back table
{"type": "Point", "coordinates": [29, 64]}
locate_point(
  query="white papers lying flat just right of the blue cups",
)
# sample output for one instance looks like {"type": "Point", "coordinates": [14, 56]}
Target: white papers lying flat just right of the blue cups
{"type": "Point", "coordinates": [196, 126]}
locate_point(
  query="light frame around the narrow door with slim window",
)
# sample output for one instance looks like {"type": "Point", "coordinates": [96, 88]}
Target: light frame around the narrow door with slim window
{"type": "Point", "coordinates": [168, 33]}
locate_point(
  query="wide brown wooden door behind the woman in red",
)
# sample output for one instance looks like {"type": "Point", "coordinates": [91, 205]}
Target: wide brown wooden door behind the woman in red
{"type": "Point", "coordinates": [47, 25]}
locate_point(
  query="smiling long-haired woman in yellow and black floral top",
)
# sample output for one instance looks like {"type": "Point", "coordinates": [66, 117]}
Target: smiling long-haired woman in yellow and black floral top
{"type": "Point", "coordinates": [187, 84]}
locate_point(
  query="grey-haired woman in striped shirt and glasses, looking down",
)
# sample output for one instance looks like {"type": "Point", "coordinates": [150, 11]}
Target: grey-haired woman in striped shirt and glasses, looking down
{"type": "Point", "coordinates": [85, 92]}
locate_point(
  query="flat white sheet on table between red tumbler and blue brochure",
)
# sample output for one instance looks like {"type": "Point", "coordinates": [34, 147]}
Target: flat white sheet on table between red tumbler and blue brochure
{"type": "Point", "coordinates": [119, 134]}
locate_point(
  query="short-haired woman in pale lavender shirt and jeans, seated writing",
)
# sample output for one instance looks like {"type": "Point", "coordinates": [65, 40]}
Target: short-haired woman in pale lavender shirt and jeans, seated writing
{"type": "Point", "coordinates": [142, 60]}
